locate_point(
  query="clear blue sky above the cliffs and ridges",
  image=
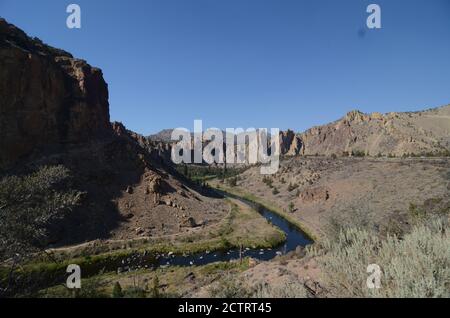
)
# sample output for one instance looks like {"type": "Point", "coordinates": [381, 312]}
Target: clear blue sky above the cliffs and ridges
{"type": "Point", "coordinates": [252, 63]}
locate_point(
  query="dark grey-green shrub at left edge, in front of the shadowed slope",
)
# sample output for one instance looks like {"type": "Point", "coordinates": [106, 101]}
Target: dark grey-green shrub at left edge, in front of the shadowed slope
{"type": "Point", "coordinates": [29, 205]}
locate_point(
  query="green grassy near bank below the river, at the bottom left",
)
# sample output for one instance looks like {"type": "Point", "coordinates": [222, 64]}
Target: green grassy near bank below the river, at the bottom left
{"type": "Point", "coordinates": [170, 282]}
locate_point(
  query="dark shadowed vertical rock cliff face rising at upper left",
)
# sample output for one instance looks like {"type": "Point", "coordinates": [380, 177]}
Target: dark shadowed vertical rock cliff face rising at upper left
{"type": "Point", "coordinates": [47, 97]}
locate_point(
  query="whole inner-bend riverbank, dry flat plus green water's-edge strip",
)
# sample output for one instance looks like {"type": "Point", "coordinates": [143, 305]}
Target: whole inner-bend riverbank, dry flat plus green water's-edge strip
{"type": "Point", "coordinates": [242, 227]}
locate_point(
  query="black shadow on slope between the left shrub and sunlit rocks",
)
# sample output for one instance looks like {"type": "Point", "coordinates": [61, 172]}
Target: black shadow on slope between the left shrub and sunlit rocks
{"type": "Point", "coordinates": [102, 170]}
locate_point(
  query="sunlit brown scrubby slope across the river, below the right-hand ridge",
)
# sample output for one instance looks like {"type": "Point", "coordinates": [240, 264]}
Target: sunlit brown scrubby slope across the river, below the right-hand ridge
{"type": "Point", "coordinates": [321, 188]}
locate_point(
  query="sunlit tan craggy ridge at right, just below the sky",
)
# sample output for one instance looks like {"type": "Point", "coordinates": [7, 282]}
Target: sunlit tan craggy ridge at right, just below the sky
{"type": "Point", "coordinates": [395, 134]}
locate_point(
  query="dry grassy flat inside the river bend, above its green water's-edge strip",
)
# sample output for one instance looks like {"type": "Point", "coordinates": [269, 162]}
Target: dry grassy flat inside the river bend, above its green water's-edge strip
{"type": "Point", "coordinates": [242, 226]}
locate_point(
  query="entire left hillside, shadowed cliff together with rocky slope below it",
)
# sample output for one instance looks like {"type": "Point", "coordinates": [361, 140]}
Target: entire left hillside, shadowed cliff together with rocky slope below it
{"type": "Point", "coordinates": [54, 110]}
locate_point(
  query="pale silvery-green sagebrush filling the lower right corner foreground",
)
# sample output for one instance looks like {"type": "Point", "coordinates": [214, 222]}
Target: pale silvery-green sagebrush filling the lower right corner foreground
{"type": "Point", "coordinates": [416, 266]}
